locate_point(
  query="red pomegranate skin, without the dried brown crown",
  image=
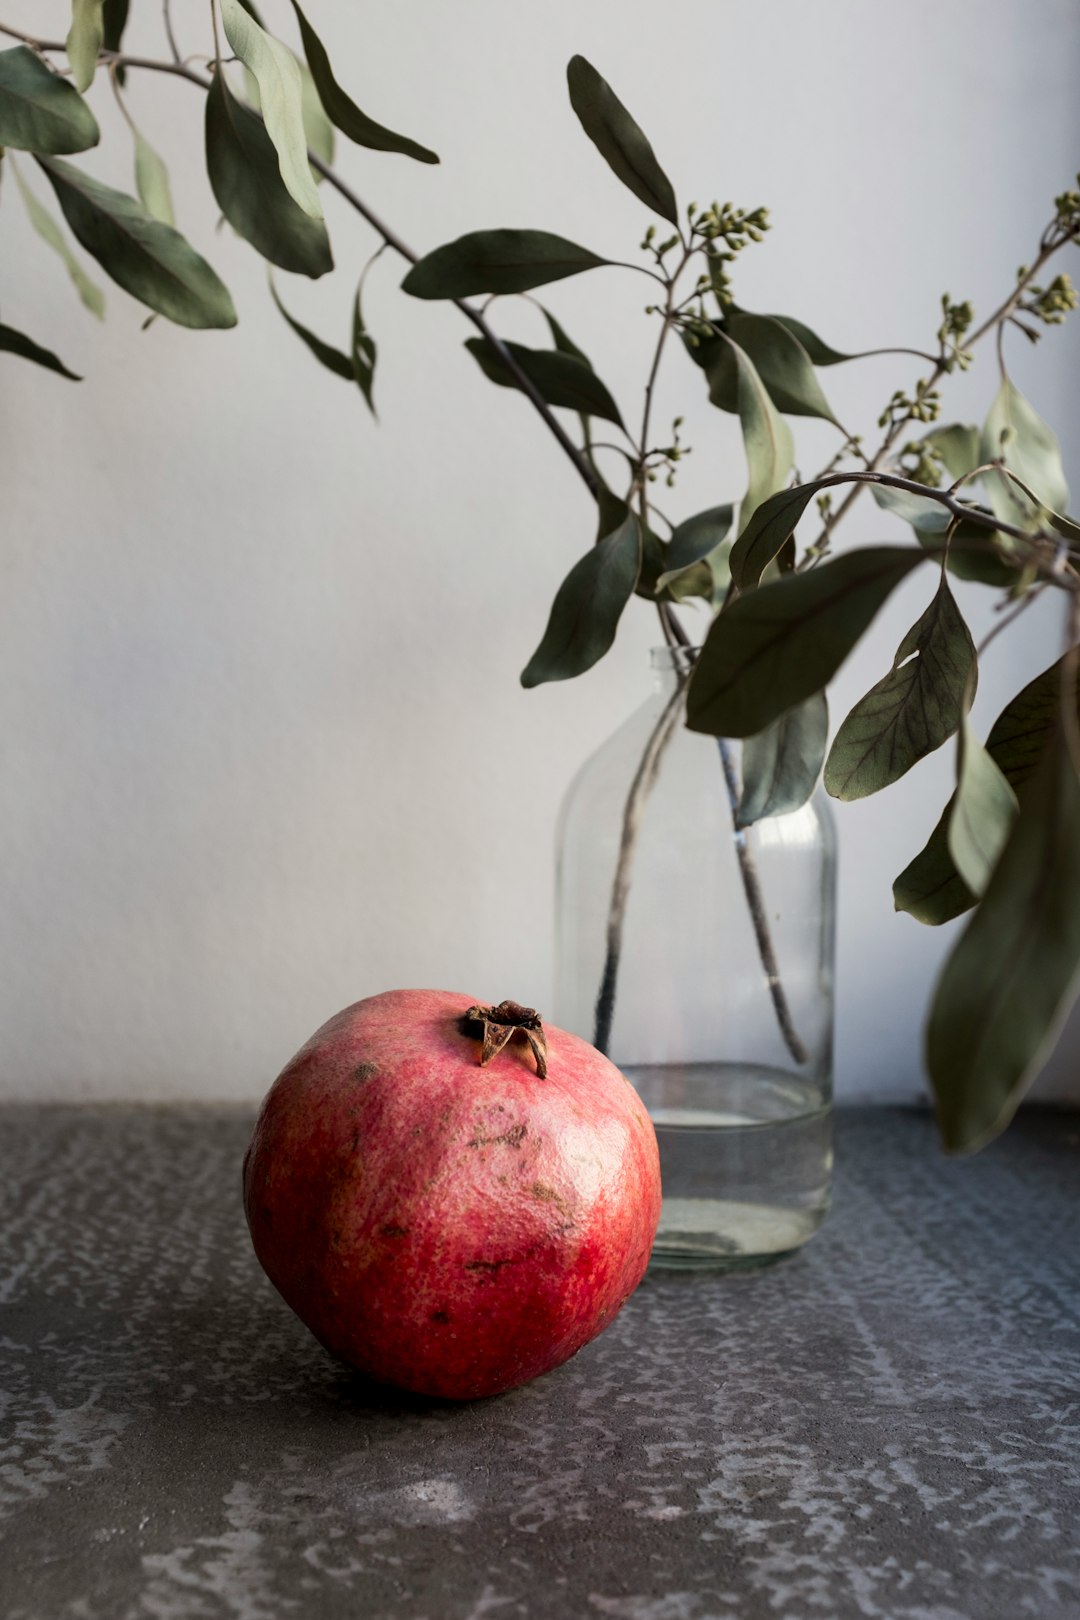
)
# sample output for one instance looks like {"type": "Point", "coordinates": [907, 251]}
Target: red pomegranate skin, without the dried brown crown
{"type": "Point", "coordinates": [441, 1227]}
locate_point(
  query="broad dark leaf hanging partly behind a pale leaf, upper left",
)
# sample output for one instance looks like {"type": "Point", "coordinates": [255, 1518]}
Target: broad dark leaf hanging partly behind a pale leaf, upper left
{"type": "Point", "coordinates": [247, 182]}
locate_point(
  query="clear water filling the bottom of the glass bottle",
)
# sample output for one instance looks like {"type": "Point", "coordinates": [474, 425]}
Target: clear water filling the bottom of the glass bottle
{"type": "Point", "coordinates": [746, 1162]}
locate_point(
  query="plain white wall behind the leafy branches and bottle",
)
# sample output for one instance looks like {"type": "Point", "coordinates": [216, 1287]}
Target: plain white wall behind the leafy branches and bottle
{"type": "Point", "coordinates": [255, 647]}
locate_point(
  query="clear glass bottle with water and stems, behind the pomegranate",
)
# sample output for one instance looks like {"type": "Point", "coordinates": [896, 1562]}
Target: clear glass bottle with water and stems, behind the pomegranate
{"type": "Point", "coordinates": [700, 958]}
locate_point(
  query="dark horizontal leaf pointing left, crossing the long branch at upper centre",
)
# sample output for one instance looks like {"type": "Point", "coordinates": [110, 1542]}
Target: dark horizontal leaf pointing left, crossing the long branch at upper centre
{"type": "Point", "coordinates": [498, 262]}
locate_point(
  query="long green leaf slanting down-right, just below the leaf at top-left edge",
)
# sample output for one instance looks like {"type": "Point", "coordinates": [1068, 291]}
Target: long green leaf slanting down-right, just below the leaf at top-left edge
{"type": "Point", "coordinates": [150, 260]}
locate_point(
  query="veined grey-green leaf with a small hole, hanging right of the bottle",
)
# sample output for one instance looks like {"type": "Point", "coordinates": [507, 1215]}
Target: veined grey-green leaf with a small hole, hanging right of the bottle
{"type": "Point", "coordinates": [912, 710]}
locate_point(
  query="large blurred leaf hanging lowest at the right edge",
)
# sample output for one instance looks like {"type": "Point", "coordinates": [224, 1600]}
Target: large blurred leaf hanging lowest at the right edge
{"type": "Point", "coordinates": [1013, 976]}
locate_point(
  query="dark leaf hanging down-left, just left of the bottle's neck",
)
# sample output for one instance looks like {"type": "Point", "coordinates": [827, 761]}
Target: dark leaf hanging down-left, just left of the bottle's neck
{"type": "Point", "coordinates": [589, 607]}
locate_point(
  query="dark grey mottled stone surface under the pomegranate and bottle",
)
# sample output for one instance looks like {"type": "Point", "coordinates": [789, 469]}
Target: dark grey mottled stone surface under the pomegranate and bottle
{"type": "Point", "coordinates": [885, 1428]}
